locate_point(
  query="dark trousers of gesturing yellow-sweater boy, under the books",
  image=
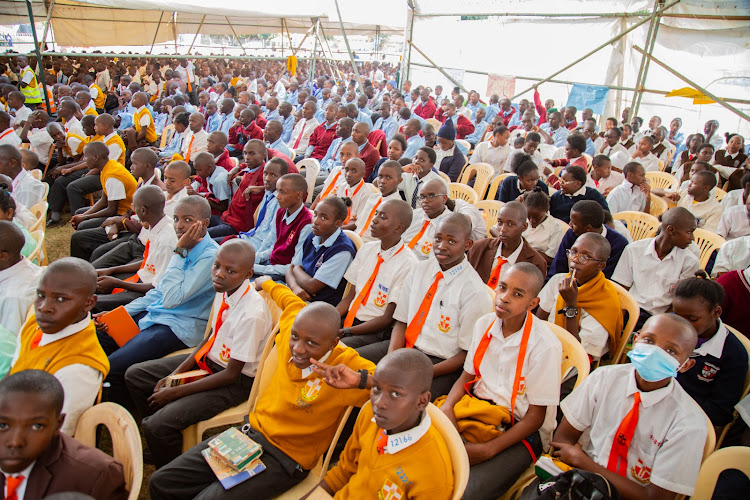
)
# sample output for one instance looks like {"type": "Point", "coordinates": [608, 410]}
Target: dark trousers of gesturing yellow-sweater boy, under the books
{"type": "Point", "coordinates": [189, 476]}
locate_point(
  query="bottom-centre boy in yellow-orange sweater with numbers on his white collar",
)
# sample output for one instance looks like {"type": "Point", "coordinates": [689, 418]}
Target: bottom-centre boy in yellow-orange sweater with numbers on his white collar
{"type": "Point", "coordinates": [395, 451]}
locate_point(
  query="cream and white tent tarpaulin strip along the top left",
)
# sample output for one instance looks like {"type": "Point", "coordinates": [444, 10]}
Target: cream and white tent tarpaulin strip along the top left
{"type": "Point", "coordinates": [91, 23]}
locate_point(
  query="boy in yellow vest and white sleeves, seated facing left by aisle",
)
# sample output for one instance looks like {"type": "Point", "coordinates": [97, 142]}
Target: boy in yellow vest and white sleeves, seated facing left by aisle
{"type": "Point", "coordinates": [118, 187]}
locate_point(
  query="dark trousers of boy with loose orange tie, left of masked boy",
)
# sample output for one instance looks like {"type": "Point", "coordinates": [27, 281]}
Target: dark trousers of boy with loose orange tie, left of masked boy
{"type": "Point", "coordinates": [492, 478]}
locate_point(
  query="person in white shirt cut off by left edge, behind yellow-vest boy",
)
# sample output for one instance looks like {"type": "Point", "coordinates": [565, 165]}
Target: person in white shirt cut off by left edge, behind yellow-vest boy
{"type": "Point", "coordinates": [18, 279]}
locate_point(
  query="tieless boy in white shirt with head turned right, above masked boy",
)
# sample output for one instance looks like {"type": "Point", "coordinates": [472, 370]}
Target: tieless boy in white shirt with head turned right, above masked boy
{"type": "Point", "coordinates": [650, 269]}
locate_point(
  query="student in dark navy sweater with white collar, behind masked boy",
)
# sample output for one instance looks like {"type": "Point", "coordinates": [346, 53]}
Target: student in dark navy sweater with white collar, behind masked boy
{"type": "Point", "coordinates": [716, 379]}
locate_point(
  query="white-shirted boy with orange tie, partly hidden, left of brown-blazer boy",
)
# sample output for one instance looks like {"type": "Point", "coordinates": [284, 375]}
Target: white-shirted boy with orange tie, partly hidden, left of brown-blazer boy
{"type": "Point", "coordinates": [435, 207]}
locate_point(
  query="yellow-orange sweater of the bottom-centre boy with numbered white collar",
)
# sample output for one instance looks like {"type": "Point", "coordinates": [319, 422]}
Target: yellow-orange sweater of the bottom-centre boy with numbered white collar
{"type": "Point", "coordinates": [421, 471]}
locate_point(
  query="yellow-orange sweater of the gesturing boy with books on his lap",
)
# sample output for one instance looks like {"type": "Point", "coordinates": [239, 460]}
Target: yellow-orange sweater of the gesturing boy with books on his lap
{"type": "Point", "coordinates": [300, 415]}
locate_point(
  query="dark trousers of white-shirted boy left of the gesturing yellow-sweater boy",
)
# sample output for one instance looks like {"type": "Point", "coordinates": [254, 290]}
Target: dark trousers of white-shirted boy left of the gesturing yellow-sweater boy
{"type": "Point", "coordinates": [163, 428]}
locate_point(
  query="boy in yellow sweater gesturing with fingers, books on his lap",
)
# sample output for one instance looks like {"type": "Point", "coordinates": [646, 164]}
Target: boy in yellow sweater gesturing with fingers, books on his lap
{"type": "Point", "coordinates": [295, 417]}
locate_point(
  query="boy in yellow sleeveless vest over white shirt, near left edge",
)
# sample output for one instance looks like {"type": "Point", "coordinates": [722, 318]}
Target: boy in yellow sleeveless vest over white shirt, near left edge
{"type": "Point", "coordinates": [60, 337]}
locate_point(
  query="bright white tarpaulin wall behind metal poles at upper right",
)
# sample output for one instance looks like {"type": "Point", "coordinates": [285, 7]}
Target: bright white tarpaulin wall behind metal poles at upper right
{"type": "Point", "coordinates": [713, 51]}
